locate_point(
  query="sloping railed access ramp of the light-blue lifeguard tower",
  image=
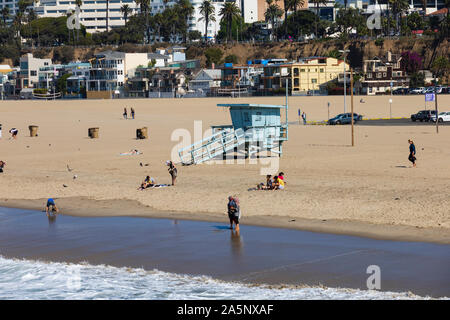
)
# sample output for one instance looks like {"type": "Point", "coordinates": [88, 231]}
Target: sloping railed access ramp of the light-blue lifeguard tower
{"type": "Point", "coordinates": [218, 143]}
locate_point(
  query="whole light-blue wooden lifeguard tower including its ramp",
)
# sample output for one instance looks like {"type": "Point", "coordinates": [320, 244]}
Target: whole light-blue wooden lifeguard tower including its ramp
{"type": "Point", "coordinates": [255, 128]}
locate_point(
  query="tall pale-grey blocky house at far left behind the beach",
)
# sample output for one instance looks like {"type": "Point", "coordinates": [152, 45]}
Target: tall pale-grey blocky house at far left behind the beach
{"type": "Point", "coordinates": [29, 71]}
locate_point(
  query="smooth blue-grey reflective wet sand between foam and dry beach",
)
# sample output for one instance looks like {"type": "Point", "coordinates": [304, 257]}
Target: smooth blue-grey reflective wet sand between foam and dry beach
{"type": "Point", "coordinates": [259, 255]}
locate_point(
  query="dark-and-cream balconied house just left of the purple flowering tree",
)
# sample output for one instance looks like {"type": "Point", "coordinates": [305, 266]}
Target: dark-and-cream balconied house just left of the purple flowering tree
{"type": "Point", "coordinates": [382, 74]}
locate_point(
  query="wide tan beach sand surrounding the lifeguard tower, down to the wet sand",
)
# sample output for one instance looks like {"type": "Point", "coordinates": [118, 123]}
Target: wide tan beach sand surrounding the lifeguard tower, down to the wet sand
{"type": "Point", "coordinates": [368, 189]}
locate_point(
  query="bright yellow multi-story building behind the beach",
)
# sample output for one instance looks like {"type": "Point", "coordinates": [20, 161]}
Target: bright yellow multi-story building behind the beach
{"type": "Point", "coordinates": [310, 75]}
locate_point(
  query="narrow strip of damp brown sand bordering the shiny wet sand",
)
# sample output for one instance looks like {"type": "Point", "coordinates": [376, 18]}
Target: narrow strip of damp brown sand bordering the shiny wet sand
{"type": "Point", "coordinates": [86, 207]}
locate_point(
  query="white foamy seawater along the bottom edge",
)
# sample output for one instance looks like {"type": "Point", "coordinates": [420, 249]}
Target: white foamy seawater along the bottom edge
{"type": "Point", "coordinates": [26, 279]}
